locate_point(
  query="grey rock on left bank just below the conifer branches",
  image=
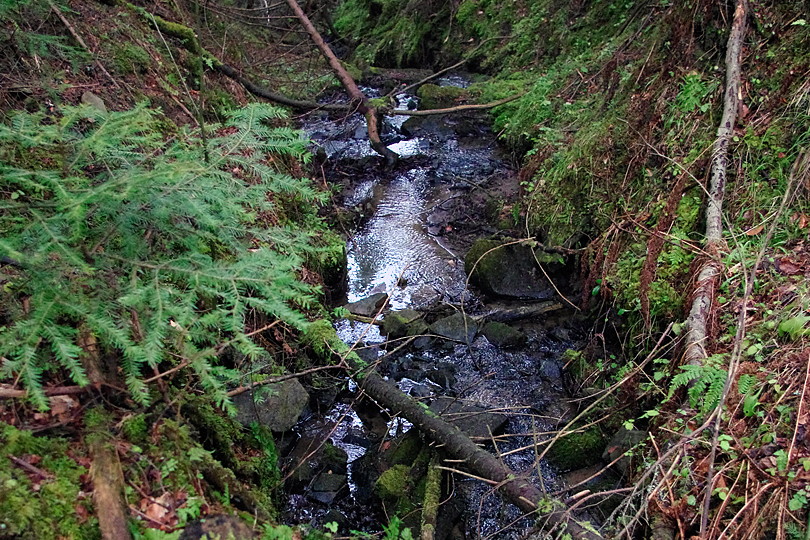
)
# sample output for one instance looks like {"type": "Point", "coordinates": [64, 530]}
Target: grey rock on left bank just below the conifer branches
{"type": "Point", "coordinates": [276, 406]}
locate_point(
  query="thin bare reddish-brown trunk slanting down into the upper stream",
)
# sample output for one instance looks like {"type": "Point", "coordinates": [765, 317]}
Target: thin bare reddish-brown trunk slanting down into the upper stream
{"type": "Point", "coordinates": [355, 94]}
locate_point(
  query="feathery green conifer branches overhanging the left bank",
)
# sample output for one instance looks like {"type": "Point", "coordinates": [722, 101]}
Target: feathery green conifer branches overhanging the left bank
{"type": "Point", "coordinates": [158, 255]}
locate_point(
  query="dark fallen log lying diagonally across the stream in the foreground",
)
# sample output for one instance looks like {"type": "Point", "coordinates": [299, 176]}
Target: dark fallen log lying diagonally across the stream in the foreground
{"type": "Point", "coordinates": [517, 489]}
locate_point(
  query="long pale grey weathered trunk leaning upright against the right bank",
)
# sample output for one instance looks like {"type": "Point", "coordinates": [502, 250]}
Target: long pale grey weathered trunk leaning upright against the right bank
{"type": "Point", "coordinates": [703, 298]}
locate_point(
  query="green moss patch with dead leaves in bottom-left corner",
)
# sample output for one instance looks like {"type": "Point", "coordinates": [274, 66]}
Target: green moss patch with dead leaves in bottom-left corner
{"type": "Point", "coordinates": [35, 508]}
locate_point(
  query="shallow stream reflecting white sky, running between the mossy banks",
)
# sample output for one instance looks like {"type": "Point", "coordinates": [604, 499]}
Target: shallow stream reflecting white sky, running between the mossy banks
{"type": "Point", "coordinates": [413, 225]}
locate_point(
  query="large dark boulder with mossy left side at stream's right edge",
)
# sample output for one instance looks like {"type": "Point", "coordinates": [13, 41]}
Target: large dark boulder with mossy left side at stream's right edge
{"type": "Point", "coordinates": [506, 270]}
